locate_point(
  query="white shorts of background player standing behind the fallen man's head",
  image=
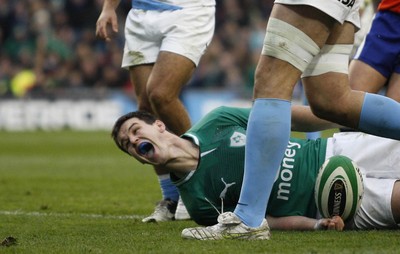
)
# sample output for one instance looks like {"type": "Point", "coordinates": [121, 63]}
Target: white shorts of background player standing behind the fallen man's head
{"type": "Point", "coordinates": [186, 32]}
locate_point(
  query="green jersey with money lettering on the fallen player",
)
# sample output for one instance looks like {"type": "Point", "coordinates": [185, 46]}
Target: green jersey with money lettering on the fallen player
{"type": "Point", "coordinates": [216, 183]}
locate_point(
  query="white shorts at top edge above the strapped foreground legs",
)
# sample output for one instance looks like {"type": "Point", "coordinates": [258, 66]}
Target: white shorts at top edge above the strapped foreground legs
{"type": "Point", "coordinates": [337, 9]}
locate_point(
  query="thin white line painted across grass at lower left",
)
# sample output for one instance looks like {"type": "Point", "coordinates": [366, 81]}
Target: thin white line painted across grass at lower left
{"type": "Point", "coordinates": [95, 216]}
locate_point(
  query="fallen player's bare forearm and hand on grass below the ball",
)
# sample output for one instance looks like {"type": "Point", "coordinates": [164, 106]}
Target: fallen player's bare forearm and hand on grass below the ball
{"type": "Point", "coordinates": [304, 223]}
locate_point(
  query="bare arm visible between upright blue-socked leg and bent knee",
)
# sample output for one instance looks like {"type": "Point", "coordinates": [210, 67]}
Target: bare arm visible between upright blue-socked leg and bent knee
{"type": "Point", "coordinates": [304, 120]}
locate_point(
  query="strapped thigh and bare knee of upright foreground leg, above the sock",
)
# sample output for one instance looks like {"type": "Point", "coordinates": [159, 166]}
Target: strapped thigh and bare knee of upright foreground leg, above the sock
{"type": "Point", "coordinates": [275, 76]}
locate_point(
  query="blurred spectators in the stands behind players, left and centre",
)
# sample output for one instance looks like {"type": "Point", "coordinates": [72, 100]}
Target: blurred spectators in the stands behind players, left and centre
{"type": "Point", "coordinates": [49, 49]}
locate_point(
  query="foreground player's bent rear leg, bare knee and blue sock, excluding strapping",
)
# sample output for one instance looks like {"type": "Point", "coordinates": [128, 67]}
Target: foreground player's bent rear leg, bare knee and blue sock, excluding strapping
{"type": "Point", "coordinates": [331, 98]}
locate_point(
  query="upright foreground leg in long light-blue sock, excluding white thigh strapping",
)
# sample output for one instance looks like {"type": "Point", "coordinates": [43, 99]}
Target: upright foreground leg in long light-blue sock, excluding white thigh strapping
{"type": "Point", "coordinates": [269, 123]}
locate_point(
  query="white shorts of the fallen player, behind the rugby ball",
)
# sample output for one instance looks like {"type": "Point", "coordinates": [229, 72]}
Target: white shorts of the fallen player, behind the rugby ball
{"type": "Point", "coordinates": [378, 159]}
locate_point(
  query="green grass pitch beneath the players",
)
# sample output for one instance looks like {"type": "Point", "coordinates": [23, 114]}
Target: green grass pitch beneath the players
{"type": "Point", "coordinates": [74, 192]}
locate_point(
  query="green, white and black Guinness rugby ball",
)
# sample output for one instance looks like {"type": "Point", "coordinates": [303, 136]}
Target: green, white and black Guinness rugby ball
{"type": "Point", "coordinates": [339, 188]}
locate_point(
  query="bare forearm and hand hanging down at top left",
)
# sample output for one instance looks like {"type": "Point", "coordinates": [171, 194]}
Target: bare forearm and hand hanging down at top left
{"type": "Point", "coordinates": [107, 16]}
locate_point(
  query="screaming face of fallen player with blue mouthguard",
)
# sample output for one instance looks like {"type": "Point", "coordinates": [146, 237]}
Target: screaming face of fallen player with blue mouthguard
{"type": "Point", "coordinates": [142, 140]}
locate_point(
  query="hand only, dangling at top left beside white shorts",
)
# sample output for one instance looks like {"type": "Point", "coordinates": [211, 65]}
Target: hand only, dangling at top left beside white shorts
{"type": "Point", "coordinates": [107, 18]}
